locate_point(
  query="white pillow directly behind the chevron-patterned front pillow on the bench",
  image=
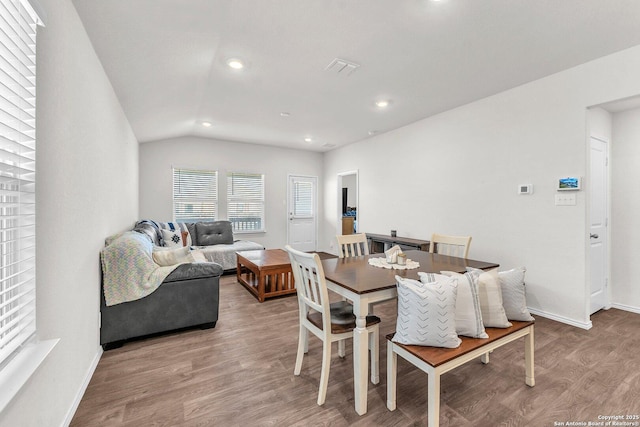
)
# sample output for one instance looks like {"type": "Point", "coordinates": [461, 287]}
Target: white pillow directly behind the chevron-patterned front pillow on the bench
{"type": "Point", "coordinates": [468, 312]}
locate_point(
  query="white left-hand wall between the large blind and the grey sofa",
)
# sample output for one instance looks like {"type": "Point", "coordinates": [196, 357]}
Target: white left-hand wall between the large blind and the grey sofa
{"type": "Point", "coordinates": [87, 188]}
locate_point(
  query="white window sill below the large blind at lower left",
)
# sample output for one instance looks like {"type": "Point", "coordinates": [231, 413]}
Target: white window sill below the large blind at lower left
{"type": "Point", "coordinates": [18, 371]}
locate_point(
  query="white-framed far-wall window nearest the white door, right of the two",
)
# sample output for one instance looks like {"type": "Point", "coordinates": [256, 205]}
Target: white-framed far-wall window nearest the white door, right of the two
{"type": "Point", "coordinates": [254, 198]}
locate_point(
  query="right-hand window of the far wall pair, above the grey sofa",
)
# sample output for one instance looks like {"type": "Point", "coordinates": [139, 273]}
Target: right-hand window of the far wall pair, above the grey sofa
{"type": "Point", "coordinates": [245, 198]}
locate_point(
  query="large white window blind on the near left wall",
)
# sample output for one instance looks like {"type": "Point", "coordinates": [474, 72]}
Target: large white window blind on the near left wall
{"type": "Point", "coordinates": [17, 175]}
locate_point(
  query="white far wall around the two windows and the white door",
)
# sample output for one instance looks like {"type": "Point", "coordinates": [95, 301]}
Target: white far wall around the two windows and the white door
{"type": "Point", "coordinates": [158, 157]}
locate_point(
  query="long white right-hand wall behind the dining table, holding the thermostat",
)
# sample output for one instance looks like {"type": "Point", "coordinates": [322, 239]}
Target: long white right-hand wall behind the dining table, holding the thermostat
{"type": "Point", "coordinates": [459, 172]}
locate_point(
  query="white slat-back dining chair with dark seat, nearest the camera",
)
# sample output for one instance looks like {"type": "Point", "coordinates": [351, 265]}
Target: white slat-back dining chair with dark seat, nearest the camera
{"type": "Point", "coordinates": [328, 323]}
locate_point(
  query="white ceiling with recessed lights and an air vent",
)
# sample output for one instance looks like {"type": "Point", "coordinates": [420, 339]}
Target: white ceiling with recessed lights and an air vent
{"type": "Point", "coordinates": [167, 60]}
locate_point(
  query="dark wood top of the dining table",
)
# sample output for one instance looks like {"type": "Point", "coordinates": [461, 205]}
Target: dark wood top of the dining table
{"type": "Point", "coordinates": [358, 276]}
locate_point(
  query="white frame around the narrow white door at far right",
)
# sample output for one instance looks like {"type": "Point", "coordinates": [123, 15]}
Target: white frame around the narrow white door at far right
{"type": "Point", "coordinates": [607, 241]}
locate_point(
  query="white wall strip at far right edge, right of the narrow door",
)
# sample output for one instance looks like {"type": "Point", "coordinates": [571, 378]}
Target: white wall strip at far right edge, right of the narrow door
{"type": "Point", "coordinates": [625, 218]}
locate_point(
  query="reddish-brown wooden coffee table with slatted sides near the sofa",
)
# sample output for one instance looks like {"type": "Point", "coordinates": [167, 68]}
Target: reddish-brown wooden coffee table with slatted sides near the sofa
{"type": "Point", "coordinates": [265, 273]}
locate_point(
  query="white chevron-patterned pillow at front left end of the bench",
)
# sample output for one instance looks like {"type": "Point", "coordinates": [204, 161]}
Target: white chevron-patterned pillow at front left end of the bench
{"type": "Point", "coordinates": [426, 313]}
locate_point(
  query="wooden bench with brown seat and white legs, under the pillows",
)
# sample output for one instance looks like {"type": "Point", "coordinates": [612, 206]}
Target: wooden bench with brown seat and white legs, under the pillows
{"type": "Point", "coordinates": [435, 361]}
